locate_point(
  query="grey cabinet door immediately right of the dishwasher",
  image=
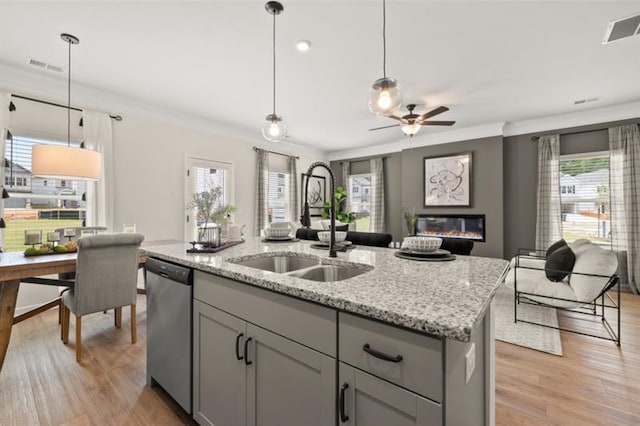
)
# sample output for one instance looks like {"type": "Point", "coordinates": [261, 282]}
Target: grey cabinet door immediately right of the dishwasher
{"type": "Point", "coordinates": [219, 378]}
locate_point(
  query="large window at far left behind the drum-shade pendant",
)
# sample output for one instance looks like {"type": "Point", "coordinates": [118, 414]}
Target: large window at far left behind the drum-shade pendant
{"type": "Point", "coordinates": [32, 204]}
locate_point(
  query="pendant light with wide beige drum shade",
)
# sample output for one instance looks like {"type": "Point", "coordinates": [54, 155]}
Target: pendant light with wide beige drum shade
{"type": "Point", "coordinates": [66, 162]}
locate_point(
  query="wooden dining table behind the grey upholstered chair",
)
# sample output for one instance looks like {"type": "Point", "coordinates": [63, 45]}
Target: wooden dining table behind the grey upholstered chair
{"type": "Point", "coordinates": [15, 268]}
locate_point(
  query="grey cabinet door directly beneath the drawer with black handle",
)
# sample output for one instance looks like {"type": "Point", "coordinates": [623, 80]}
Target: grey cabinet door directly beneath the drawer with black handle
{"type": "Point", "coordinates": [369, 401]}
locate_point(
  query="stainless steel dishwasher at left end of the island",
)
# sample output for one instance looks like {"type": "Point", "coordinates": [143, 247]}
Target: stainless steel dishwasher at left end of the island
{"type": "Point", "coordinates": [169, 318]}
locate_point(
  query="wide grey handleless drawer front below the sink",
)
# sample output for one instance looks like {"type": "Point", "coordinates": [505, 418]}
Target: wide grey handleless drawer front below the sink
{"type": "Point", "coordinates": [304, 322]}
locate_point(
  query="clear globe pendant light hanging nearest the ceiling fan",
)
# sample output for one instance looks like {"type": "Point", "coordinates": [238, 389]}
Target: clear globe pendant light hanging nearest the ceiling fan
{"type": "Point", "coordinates": [384, 94]}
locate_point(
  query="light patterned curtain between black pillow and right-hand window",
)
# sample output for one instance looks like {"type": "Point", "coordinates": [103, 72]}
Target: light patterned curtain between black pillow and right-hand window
{"type": "Point", "coordinates": [549, 209]}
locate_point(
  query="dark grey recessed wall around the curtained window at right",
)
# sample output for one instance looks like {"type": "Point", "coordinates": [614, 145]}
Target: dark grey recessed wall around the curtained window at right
{"type": "Point", "coordinates": [521, 176]}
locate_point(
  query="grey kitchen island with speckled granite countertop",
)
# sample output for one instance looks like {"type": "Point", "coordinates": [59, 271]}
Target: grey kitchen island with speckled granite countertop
{"type": "Point", "coordinates": [403, 341]}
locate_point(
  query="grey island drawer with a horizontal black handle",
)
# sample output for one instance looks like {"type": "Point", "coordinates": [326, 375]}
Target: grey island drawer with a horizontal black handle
{"type": "Point", "coordinates": [414, 361]}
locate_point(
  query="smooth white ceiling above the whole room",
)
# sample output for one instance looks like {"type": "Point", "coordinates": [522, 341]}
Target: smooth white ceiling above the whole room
{"type": "Point", "coordinates": [501, 61]}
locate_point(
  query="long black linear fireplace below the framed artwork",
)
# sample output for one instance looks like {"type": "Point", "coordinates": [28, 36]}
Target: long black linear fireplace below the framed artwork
{"type": "Point", "coordinates": [463, 226]}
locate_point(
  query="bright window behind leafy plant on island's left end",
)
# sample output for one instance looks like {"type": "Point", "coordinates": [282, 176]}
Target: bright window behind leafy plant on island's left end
{"type": "Point", "coordinates": [204, 175]}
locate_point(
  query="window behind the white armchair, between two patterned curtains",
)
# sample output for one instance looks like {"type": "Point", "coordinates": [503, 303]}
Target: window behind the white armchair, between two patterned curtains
{"type": "Point", "coordinates": [584, 194]}
